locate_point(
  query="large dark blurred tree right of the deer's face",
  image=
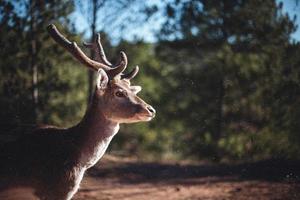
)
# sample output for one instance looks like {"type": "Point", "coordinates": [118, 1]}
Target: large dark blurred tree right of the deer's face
{"type": "Point", "coordinates": [225, 50]}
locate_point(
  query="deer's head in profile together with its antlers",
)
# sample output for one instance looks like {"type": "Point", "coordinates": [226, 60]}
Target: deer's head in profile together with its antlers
{"type": "Point", "coordinates": [114, 94]}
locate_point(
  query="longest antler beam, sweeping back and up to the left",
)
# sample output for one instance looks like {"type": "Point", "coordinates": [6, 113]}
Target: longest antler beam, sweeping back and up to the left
{"type": "Point", "coordinates": [74, 49]}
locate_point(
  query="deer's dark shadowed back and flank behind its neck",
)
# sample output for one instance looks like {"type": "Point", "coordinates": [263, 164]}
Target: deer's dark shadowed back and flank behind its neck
{"type": "Point", "coordinates": [35, 155]}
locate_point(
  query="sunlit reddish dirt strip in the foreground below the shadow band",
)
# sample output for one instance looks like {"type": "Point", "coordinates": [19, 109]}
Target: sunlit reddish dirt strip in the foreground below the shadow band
{"type": "Point", "coordinates": [208, 189]}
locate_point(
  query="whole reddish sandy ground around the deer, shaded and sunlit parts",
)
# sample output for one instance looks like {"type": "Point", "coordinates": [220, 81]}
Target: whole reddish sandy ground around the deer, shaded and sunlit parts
{"type": "Point", "coordinates": [129, 179]}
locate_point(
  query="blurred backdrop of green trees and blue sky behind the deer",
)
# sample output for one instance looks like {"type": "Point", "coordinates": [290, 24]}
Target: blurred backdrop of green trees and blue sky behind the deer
{"type": "Point", "coordinates": [223, 75]}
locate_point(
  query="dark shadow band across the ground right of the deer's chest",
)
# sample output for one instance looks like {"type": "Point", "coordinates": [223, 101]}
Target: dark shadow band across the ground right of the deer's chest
{"type": "Point", "coordinates": [134, 172]}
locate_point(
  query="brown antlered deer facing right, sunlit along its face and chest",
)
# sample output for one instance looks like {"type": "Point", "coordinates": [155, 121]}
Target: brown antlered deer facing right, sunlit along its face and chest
{"type": "Point", "coordinates": [54, 160]}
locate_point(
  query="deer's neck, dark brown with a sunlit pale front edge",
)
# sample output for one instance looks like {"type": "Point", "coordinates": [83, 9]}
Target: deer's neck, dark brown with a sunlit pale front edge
{"type": "Point", "coordinates": [95, 132]}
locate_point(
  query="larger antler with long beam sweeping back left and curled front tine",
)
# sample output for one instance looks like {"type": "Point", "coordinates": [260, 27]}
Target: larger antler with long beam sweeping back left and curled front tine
{"type": "Point", "coordinates": [102, 63]}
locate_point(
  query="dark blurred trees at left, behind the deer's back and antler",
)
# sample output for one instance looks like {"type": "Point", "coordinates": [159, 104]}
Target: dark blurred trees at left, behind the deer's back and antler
{"type": "Point", "coordinates": [31, 61]}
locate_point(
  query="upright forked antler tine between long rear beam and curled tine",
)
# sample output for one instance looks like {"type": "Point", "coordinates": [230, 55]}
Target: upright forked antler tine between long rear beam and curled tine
{"type": "Point", "coordinates": [98, 48]}
